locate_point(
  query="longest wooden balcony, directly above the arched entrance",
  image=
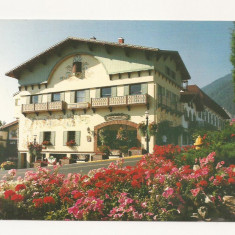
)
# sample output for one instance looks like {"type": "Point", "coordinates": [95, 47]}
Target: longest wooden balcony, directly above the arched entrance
{"type": "Point", "coordinates": [129, 100]}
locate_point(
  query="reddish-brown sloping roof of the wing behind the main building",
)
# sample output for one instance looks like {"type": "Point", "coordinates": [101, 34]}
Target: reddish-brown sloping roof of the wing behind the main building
{"type": "Point", "coordinates": [195, 91]}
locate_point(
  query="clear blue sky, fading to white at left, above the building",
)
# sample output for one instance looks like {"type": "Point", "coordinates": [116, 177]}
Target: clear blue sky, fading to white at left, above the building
{"type": "Point", "coordinates": [203, 45]}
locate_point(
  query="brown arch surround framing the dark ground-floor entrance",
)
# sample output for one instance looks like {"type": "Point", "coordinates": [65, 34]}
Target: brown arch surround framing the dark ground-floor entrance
{"type": "Point", "coordinates": [115, 125]}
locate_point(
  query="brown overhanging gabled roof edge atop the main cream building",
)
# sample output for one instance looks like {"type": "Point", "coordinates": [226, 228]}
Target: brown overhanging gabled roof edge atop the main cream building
{"type": "Point", "coordinates": [71, 41]}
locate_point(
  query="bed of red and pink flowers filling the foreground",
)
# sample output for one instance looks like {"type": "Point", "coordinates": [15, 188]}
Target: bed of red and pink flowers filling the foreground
{"type": "Point", "coordinates": [155, 189]}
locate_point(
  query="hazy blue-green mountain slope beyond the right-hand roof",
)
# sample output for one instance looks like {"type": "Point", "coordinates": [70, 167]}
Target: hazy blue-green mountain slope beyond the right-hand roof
{"type": "Point", "coordinates": [221, 91]}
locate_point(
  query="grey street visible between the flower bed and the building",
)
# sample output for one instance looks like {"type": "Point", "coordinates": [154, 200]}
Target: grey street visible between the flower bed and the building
{"type": "Point", "coordinates": [82, 168]}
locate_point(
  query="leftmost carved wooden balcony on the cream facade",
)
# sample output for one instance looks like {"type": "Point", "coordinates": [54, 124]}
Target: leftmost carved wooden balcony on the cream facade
{"type": "Point", "coordinates": [44, 107]}
